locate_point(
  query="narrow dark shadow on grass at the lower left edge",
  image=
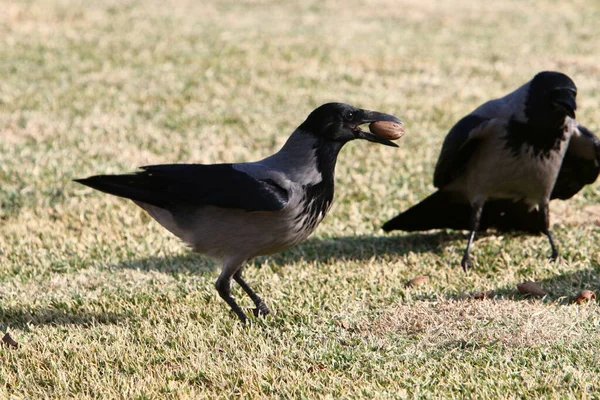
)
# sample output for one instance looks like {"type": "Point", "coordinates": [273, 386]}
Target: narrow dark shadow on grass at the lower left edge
{"type": "Point", "coordinates": [24, 318]}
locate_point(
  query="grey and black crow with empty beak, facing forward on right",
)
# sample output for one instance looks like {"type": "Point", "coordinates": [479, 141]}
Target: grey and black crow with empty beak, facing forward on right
{"type": "Point", "coordinates": [502, 164]}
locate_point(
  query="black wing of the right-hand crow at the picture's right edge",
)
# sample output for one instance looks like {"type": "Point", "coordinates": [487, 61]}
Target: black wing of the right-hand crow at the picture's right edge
{"type": "Point", "coordinates": [580, 166]}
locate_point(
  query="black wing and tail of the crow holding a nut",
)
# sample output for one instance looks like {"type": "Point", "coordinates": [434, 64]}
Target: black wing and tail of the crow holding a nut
{"type": "Point", "coordinates": [189, 185]}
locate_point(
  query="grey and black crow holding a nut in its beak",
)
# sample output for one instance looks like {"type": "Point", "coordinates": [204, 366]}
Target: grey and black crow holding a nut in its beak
{"type": "Point", "coordinates": [234, 212]}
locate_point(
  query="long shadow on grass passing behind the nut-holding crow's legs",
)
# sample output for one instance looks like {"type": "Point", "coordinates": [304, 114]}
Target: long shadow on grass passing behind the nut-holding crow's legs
{"type": "Point", "coordinates": [355, 248]}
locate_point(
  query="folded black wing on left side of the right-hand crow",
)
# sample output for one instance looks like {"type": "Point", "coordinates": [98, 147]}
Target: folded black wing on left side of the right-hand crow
{"type": "Point", "coordinates": [458, 147]}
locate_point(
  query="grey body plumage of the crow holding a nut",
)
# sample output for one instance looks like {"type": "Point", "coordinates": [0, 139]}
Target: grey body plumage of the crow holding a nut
{"type": "Point", "coordinates": [238, 235]}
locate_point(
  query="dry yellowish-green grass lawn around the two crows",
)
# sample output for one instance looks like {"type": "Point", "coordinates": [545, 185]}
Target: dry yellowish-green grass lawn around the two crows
{"type": "Point", "coordinates": [107, 304]}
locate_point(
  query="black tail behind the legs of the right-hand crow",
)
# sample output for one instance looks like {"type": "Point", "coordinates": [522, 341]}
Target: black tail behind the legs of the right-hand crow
{"type": "Point", "coordinates": [445, 210]}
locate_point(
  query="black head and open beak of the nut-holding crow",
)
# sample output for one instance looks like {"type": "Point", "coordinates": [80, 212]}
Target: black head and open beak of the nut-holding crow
{"type": "Point", "coordinates": [339, 122]}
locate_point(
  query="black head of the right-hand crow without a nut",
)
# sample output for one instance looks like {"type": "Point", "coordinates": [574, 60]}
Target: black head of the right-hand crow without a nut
{"type": "Point", "coordinates": [551, 98]}
